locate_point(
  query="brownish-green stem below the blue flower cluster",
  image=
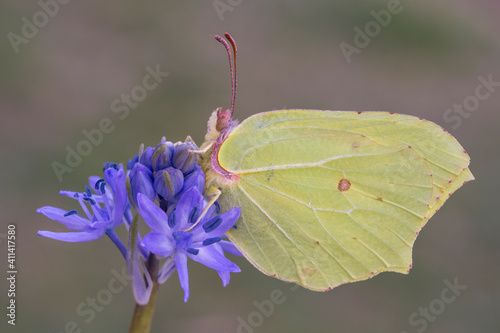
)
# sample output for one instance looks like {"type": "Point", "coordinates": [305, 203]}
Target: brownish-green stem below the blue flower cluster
{"type": "Point", "coordinates": [143, 314]}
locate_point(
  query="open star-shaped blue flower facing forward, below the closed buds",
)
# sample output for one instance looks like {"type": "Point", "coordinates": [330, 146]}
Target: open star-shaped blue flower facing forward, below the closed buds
{"type": "Point", "coordinates": [191, 230]}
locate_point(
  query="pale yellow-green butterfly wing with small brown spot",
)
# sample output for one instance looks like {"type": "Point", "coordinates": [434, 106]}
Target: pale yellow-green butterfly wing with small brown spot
{"type": "Point", "coordinates": [330, 197]}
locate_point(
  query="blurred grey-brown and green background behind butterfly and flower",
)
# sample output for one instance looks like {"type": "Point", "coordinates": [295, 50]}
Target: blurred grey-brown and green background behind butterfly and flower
{"type": "Point", "coordinates": [66, 67]}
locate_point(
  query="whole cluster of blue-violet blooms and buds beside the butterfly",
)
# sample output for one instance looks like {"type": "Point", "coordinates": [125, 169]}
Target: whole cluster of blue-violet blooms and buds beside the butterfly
{"type": "Point", "coordinates": [165, 186]}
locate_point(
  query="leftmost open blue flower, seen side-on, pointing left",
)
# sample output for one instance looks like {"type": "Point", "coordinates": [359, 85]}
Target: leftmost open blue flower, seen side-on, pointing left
{"type": "Point", "coordinates": [108, 204]}
